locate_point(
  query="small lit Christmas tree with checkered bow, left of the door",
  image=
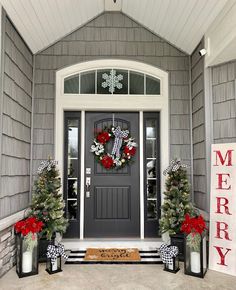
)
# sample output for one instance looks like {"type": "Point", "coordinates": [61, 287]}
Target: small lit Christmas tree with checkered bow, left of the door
{"type": "Point", "coordinates": [47, 202]}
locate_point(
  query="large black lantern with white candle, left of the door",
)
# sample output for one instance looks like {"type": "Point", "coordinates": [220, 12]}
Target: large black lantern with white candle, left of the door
{"type": "Point", "coordinates": [26, 254]}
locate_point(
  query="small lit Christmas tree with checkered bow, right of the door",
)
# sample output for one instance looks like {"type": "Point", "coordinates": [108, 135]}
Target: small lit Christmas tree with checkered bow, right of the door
{"type": "Point", "coordinates": [177, 198]}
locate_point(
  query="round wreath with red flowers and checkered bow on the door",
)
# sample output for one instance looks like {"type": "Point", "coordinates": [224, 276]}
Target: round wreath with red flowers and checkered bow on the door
{"type": "Point", "coordinates": [124, 148]}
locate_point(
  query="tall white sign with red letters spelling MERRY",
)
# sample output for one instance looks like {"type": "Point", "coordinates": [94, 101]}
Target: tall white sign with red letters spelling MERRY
{"type": "Point", "coordinates": [222, 237]}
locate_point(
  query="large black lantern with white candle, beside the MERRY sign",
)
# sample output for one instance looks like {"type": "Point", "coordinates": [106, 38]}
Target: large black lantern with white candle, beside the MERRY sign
{"type": "Point", "coordinates": [195, 255]}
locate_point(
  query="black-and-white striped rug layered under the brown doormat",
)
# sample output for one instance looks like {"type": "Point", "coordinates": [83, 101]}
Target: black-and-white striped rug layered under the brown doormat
{"type": "Point", "coordinates": [147, 256]}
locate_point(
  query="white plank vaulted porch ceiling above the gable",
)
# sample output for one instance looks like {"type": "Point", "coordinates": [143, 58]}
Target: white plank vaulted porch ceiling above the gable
{"type": "Point", "coordinates": [181, 22]}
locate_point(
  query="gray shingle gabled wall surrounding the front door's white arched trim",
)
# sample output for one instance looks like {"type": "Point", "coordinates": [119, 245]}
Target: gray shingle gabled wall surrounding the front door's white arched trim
{"type": "Point", "coordinates": [111, 35]}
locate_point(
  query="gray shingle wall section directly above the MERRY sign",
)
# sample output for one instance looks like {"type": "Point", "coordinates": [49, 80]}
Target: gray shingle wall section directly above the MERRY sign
{"type": "Point", "coordinates": [224, 103]}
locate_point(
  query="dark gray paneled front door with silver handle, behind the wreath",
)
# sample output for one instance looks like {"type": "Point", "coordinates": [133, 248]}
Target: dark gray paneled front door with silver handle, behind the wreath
{"type": "Point", "coordinates": [112, 205]}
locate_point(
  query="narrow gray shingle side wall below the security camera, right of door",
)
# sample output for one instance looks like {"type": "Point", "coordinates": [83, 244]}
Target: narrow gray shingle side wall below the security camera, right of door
{"type": "Point", "coordinates": [198, 129]}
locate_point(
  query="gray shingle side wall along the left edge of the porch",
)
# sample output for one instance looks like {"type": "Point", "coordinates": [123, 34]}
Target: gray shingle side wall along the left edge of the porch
{"type": "Point", "coordinates": [17, 73]}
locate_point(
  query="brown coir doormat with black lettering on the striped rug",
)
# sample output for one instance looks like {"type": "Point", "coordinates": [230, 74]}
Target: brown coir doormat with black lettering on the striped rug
{"type": "Point", "coordinates": [112, 255]}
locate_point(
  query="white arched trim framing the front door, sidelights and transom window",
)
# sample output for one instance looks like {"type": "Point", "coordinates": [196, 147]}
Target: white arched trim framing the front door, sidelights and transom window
{"type": "Point", "coordinates": [122, 103]}
